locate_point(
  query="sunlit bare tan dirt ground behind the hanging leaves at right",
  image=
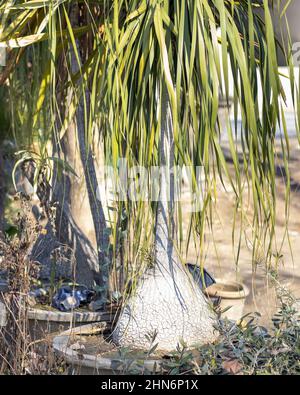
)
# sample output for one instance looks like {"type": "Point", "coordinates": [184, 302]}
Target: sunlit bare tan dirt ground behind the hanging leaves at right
{"type": "Point", "coordinates": [219, 252]}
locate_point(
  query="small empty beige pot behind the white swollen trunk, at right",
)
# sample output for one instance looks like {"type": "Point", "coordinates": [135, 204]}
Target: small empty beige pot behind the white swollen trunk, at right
{"type": "Point", "coordinates": [232, 294]}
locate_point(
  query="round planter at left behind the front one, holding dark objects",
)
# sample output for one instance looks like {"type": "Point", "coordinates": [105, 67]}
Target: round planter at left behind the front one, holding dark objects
{"type": "Point", "coordinates": [44, 322]}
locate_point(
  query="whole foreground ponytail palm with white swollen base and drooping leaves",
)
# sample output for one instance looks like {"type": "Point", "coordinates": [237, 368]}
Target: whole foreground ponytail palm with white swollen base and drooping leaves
{"type": "Point", "coordinates": [170, 60]}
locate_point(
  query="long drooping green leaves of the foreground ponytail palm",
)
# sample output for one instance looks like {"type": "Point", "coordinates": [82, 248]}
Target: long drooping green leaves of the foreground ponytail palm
{"type": "Point", "coordinates": [196, 48]}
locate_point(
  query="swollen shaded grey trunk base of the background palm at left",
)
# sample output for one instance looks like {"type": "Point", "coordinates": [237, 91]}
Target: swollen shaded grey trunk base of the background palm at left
{"type": "Point", "coordinates": [64, 250]}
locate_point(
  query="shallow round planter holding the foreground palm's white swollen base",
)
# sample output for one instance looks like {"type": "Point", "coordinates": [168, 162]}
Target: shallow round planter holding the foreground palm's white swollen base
{"type": "Point", "coordinates": [84, 363]}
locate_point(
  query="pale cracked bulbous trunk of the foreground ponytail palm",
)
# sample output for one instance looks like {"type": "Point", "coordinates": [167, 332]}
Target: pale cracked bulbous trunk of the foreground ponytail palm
{"type": "Point", "coordinates": [167, 307]}
